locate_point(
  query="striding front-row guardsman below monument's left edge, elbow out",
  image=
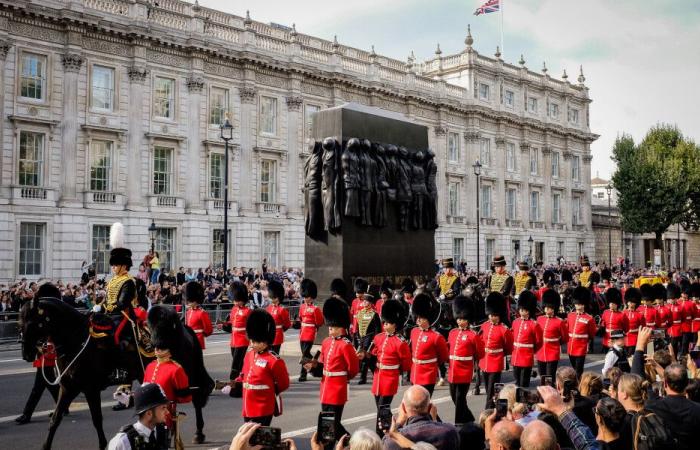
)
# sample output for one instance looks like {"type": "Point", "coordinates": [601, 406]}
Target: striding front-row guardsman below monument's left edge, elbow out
{"type": "Point", "coordinates": [337, 363]}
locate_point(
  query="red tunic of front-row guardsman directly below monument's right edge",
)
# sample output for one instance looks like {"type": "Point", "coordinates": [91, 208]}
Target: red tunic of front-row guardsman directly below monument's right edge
{"type": "Point", "coordinates": [428, 349]}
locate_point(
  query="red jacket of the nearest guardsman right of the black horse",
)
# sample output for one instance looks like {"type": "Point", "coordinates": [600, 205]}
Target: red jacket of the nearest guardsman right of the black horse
{"type": "Point", "coordinates": [264, 376]}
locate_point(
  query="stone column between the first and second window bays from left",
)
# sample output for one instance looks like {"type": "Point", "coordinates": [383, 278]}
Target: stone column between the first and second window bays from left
{"type": "Point", "coordinates": [72, 63]}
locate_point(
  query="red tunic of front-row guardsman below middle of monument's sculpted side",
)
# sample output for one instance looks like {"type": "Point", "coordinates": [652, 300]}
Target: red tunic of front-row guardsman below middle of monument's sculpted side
{"type": "Point", "coordinates": [393, 359]}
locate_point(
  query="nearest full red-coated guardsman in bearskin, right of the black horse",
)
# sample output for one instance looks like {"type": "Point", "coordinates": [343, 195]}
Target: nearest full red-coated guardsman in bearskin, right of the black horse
{"type": "Point", "coordinates": [264, 376]}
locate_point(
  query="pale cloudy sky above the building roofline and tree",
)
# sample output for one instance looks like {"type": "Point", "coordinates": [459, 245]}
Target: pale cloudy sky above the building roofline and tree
{"type": "Point", "coordinates": [641, 58]}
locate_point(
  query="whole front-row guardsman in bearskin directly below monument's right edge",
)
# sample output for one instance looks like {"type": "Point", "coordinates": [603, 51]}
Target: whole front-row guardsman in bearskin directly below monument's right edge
{"type": "Point", "coordinates": [428, 347]}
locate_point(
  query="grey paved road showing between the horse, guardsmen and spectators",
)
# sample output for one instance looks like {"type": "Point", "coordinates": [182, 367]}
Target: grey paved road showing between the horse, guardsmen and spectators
{"type": "Point", "coordinates": [222, 414]}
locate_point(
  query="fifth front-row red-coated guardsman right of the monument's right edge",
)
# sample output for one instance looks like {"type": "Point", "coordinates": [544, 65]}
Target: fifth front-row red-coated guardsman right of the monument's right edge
{"type": "Point", "coordinates": [582, 329]}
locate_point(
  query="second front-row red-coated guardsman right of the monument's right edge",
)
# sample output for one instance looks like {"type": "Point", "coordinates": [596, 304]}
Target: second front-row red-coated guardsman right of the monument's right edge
{"type": "Point", "coordinates": [498, 343]}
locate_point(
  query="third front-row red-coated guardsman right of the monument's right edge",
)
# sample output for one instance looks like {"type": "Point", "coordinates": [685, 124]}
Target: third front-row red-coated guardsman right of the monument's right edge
{"type": "Point", "coordinates": [527, 338]}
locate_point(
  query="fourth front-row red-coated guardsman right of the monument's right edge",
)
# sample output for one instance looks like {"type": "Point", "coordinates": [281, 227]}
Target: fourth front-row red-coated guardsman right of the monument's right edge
{"type": "Point", "coordinates": [554, 333]}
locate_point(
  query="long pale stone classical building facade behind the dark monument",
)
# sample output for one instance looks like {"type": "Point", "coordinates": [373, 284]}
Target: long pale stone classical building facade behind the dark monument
{"type": "Point", "coordinates": [111, 111]}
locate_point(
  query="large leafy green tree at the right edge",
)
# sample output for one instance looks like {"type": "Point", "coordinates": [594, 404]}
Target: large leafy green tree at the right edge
{"type": "Point", "coordinates": [656, 181]}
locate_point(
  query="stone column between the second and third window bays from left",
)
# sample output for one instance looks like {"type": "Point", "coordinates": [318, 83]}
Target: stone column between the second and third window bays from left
{"type": "Point", "coordinates": [134, 174]}
